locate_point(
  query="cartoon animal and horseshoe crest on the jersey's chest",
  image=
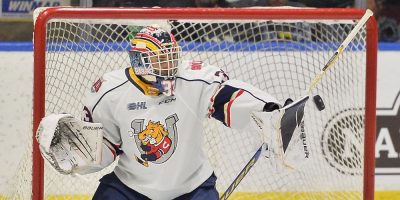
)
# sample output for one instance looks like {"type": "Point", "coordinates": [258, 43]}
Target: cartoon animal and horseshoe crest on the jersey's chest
{"type": "Point", "coordinates": [156, 142]}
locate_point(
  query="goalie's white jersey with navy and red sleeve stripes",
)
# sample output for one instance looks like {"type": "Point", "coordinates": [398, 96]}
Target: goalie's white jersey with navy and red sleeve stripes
{"type": "Point", "coordinates": [160, 138]}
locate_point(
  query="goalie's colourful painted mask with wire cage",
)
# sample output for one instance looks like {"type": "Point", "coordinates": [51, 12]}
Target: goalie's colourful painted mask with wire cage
{"type": "Point", "coordinates": [154, 56]}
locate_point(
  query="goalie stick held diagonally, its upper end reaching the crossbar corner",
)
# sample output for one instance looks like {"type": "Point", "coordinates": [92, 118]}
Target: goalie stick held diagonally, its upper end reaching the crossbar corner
{"type": "Point", "coordinates": [312, 86]}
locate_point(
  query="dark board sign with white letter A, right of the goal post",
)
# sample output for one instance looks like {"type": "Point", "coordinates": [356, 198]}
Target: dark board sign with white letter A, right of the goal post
{"type": "Point", "coordinates": [387, 146]}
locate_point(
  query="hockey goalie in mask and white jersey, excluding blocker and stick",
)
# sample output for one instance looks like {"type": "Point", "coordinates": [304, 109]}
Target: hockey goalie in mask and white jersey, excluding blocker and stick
{"type": "Point", "coordinates": [150, 115]}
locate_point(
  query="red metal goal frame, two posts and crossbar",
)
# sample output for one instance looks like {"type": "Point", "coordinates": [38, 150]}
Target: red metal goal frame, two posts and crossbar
{"type": "Point", "coordinates": [205, 14]}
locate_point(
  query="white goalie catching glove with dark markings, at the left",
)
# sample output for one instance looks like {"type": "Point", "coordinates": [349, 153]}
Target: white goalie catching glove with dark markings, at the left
{"type": "Point", "coordinates": [71, 145]}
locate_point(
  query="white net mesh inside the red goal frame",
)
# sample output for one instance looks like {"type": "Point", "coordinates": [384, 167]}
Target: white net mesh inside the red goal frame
{"type": "Point", "coordinates": [277, 56]}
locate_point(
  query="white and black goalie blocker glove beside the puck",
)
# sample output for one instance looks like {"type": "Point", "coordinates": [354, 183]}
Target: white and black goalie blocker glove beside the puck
{"type": "Point", "coordinates": [283, 131]}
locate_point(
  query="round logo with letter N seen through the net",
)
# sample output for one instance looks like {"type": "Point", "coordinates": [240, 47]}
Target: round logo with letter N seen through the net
{"type": "Point", "coordinates": [342, 141]}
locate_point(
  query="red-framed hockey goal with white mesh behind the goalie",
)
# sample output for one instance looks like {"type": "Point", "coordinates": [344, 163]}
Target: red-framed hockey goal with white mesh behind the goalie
{"type": "Point", "coordinates": [277, 50]}
